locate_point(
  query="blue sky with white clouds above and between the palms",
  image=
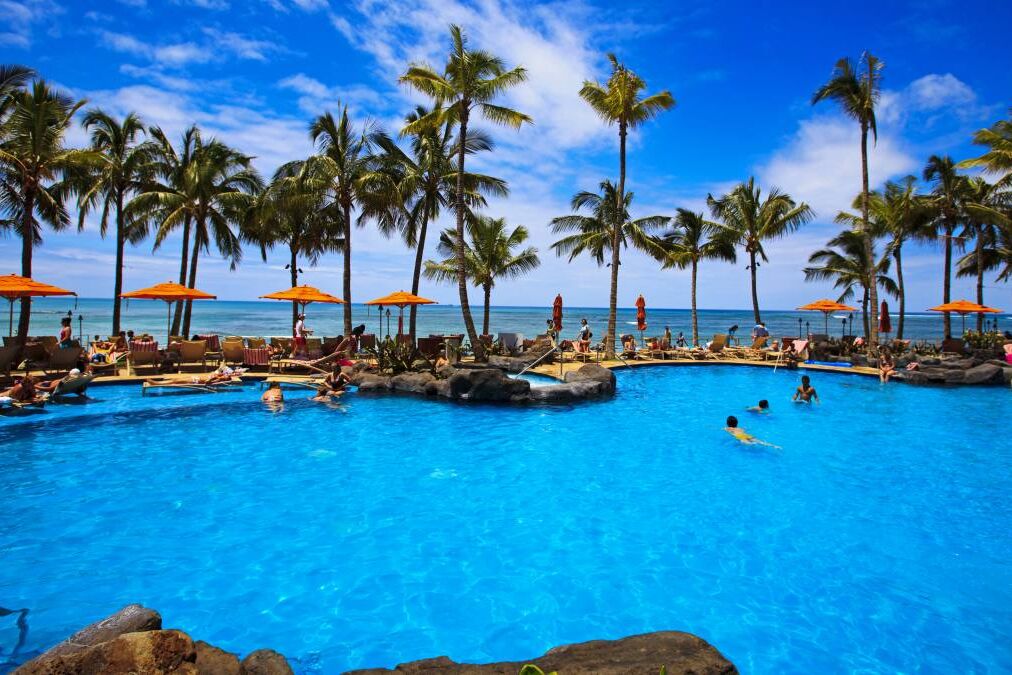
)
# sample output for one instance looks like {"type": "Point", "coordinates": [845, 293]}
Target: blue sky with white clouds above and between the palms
{"type": "Point", "coordinates": [256, 72]}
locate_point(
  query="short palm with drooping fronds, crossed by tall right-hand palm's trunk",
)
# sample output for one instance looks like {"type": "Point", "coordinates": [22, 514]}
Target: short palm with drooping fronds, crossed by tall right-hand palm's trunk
{"type": "Point", "coordinates": [850, 269]}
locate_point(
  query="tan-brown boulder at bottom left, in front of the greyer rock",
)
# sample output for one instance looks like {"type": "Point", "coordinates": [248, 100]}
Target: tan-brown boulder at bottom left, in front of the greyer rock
{"type": "Point", "coordinates": [150, 653]}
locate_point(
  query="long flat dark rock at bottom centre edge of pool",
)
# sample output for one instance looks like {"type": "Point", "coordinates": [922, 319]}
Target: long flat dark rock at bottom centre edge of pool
{"type": "Point", "coordinates": [680, 653]}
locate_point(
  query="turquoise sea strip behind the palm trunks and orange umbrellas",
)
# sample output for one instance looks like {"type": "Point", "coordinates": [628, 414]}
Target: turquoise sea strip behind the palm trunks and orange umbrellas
{"type": "Point", "coordinates": [272, 318]}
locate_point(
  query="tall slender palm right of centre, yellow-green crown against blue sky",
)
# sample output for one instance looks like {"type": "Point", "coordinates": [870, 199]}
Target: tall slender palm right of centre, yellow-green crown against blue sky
{"type": "Point", "coordinates": [620, 102]}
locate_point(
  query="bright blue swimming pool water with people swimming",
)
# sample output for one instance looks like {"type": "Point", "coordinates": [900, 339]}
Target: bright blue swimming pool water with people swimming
{"type": "Point", "coordinates": [395, 529]}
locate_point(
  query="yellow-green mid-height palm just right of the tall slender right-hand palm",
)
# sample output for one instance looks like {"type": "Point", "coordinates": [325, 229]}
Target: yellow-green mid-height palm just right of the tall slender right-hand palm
{"type": "Point", "coordinates": [900, 214]}
